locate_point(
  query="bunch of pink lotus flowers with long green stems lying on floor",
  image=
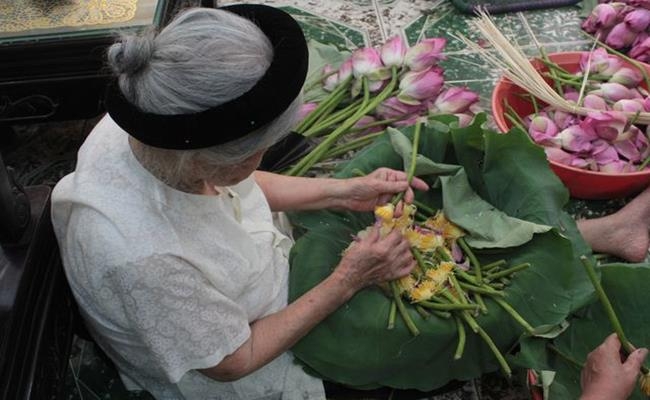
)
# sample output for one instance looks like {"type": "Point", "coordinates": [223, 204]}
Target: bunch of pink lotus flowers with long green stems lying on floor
{"type": "Point", "coordinates": [392, 85]}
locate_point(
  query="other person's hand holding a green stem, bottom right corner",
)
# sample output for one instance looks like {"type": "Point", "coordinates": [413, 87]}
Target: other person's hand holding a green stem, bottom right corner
{"type": "Point", "coordinates": [605, 376]}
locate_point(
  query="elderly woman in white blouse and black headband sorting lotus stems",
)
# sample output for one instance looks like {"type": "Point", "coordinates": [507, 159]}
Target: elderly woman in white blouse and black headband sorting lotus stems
{"type": "Point", "coordinates": [167, 232]}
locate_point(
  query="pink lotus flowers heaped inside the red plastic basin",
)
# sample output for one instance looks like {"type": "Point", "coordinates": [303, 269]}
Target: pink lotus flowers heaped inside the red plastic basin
{"type": "Point", "coordinates": [605, 139]}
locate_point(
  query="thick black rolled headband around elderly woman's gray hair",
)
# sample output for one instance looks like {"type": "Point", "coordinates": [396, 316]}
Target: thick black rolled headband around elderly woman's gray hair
{"type": "Point", "coordinates": [264, 102]}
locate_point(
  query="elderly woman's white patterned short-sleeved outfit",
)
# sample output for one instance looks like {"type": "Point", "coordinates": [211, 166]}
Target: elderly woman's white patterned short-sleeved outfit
{"type": "Point", "coordinates": [168, 282]}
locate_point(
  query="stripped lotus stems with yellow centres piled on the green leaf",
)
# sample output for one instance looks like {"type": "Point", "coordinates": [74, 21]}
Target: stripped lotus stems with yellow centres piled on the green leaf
{"type": "Point", "coordinates": [448, 281]}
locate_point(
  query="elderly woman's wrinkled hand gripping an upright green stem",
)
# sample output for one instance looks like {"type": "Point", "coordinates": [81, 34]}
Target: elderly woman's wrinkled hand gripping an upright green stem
{"type": "Point", "coordinates": [378, 188]}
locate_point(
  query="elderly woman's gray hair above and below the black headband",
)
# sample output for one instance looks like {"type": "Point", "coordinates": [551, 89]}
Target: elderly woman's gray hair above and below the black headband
{"type": "Point", "coordinates": [203, 58]}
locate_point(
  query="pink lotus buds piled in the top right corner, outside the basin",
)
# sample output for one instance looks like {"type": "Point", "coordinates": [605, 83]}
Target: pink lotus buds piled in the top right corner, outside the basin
{"type": "Point", "coordinates": [622, 25]}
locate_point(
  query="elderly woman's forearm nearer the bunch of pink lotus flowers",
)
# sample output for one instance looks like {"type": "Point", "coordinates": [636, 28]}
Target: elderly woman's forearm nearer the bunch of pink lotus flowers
{"type": "Point", "coordinates": [286, 193]}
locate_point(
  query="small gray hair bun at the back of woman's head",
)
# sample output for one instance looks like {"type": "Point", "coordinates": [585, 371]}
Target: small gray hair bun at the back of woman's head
{"type": "Point", "coordinates": [131, 54]}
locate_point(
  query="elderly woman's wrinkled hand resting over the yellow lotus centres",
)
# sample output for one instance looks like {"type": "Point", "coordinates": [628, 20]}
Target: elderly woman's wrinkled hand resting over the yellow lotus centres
{"type": "Point", "coordinates": [374, 259]}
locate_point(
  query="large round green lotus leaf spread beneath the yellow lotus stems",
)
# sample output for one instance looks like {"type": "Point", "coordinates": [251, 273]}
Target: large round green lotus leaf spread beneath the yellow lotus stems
{"type": "Point", "coordinates": [352, 346]}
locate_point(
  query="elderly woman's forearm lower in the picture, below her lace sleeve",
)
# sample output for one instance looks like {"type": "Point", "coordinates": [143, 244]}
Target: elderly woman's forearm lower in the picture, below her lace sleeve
{"type": "Point", "coordinates": [278, 332]}
